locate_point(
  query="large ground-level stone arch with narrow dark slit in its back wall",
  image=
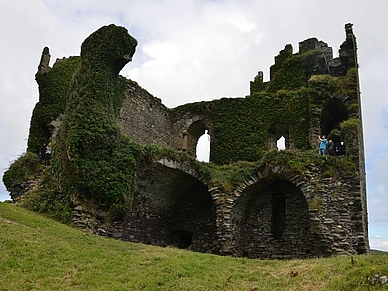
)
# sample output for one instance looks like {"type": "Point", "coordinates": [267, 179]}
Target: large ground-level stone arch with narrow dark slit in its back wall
{"type": "Point", "coordinates": [272, 218]}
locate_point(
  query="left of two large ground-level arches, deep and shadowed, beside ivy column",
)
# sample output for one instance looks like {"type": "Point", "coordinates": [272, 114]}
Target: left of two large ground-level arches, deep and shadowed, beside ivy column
{"type": "Point", "coordinates": [172, 207]}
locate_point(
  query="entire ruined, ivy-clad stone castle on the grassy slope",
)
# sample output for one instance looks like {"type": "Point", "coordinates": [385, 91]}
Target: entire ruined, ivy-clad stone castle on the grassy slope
{"type": "Point", "coordinates": [126, 163]}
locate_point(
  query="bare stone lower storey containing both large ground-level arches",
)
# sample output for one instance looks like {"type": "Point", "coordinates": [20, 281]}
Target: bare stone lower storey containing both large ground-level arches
{"type": "Point", "coordinates": [275, 215]}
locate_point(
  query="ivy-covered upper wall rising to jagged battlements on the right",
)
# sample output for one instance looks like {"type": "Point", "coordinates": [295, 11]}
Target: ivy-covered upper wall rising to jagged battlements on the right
{"type": "Point", "coordinates": [296, 103]}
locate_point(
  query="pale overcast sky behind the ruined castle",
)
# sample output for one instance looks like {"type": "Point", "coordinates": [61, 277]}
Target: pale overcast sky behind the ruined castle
{"type": "Point", "coordinates": [196, 50]}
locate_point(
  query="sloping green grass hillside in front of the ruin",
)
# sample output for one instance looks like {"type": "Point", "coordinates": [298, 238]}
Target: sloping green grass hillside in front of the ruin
{"type": "Point", "coordinates": [40, 254]}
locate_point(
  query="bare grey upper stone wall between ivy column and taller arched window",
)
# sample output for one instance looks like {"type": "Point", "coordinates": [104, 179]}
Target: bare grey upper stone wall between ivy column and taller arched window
{"type": "Point", "coordinates": [146, 120]}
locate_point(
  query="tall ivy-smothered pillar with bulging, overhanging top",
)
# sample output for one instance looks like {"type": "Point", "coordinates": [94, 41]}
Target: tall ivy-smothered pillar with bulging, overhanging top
{"type": "Point", "coordinates": [94, 160]}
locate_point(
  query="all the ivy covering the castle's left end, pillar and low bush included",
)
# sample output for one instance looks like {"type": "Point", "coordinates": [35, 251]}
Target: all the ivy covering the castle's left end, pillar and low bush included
{"type": "Point", "coordinates": [91, 158]}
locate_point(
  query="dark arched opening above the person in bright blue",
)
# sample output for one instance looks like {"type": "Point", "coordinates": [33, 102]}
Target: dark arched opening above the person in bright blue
{"type": "Point", "coordinates": [333, 113]}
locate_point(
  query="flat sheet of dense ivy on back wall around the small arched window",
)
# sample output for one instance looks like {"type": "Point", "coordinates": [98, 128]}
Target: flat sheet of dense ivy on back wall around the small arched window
{"type": "Point", "coordinates": [241, 125]}
